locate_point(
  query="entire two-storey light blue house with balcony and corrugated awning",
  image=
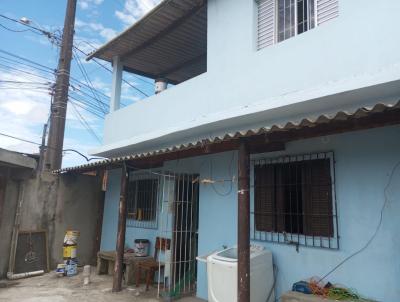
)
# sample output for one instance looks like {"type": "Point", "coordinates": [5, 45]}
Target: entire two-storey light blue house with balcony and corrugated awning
{"type": "Point", "coordinates": [275, 123]}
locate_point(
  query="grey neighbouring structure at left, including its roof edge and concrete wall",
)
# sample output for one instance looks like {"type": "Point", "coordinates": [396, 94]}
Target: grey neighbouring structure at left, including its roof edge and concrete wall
{"type": "Point", "coordinates": [32, 202]}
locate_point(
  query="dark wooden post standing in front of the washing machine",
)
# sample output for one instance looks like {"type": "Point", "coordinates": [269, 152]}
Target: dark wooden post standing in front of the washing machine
{"type": "Point", "coordinates": [243, 224]}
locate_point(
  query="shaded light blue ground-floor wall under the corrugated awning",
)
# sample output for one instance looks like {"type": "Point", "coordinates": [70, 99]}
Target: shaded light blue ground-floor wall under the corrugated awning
{"type": "Point", "coordinates": [364, 160]}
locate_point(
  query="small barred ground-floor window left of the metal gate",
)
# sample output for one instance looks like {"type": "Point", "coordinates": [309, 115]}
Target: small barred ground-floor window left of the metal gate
{"type": "Point", "coordinates": [142, 201]}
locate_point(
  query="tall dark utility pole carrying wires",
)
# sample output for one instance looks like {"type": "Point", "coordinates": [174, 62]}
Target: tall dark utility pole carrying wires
{"type": "Point", "coordinates": [55, 142]}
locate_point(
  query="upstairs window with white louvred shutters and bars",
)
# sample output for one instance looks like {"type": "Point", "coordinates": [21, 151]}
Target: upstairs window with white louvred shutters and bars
{"type": "Point", "coordinates": [279, 20]}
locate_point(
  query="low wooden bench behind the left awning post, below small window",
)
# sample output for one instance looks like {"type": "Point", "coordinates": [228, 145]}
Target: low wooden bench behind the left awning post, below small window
{"type": "Point", "coordinates": [106, 262]}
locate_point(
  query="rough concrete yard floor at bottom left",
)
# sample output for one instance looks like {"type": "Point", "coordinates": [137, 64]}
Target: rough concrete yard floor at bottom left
{"type": "Point", "coordinates": [51, 288]}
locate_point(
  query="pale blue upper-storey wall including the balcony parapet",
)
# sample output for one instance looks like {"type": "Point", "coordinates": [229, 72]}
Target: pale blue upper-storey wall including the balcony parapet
{"type": "Point", "coordinates": [345, 54]}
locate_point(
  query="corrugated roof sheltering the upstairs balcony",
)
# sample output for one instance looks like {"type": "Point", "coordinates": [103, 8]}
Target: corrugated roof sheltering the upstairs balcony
{"type": "Point", "coordinates": [169, 42]}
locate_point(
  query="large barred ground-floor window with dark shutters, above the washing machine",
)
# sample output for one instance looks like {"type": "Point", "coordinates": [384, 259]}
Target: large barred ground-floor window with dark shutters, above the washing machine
{"type": "Point", "coordinates": [294, 201]}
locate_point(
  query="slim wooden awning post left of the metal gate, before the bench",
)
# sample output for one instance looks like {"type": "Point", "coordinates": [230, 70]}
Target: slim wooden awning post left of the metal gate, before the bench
{"type": "Point", "coordinates": [117, 281]}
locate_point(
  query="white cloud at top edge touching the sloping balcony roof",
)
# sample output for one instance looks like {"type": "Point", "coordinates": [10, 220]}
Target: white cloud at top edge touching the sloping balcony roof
{"type": "Point", "coordinates": [134, 10]}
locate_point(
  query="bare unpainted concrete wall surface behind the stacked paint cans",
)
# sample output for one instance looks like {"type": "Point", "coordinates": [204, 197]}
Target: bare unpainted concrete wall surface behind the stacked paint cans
{"type": "Point", "coordinates": [55, 204]}
